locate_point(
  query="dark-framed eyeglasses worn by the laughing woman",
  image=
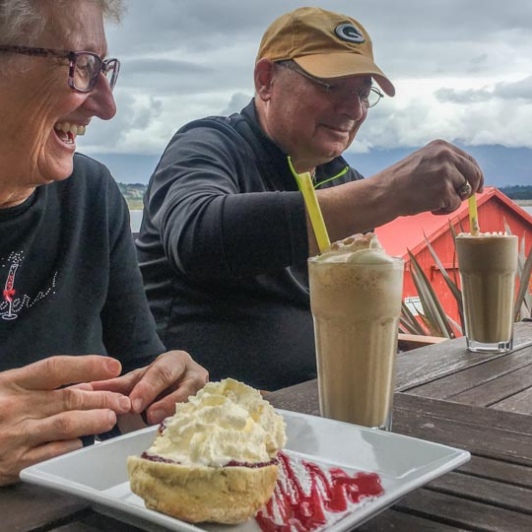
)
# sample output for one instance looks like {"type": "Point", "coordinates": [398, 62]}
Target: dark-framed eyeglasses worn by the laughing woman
{"type": "Point", "coordinates": [84, 67]}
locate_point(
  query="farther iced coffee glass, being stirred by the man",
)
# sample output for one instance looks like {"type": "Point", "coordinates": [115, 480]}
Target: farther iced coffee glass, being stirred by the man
{"type": "Point", "coordinates": [488, 265]}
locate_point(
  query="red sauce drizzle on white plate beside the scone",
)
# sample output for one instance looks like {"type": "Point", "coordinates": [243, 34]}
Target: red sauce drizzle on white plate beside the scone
{"type": "Point", "coordinates": [304, 510]}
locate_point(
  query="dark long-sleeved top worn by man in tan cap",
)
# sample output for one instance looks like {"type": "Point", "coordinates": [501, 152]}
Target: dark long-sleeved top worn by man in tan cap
{"type": "Point", "coordinates": [223, 250]}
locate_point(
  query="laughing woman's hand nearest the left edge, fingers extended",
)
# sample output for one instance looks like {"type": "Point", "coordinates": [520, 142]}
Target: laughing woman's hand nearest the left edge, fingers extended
{"type": "Point", "coordinates": [44, 411]}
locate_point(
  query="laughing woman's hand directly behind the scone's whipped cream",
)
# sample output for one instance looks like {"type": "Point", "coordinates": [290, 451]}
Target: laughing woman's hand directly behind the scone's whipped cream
{"type": "Point", "coordinates": [171, 378]}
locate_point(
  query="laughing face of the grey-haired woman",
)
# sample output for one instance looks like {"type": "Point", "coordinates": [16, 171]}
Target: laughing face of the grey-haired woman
{"type": "Point", "coordinates": [41, 114]}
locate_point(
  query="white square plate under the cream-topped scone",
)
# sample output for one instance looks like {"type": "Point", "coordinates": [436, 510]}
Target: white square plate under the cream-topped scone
{"type": "Point", "coordinates": [98, 473]}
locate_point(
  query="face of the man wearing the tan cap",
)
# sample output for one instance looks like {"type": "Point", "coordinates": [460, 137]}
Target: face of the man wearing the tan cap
{"type": "Point", "coordinates": [309, 122]}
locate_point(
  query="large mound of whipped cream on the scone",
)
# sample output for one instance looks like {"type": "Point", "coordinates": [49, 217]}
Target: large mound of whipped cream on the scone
{"type": "Point", "coordinates": [225, 421]}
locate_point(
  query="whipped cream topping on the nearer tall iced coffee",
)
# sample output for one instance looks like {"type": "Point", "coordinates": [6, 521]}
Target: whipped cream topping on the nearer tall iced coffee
{"type": "Point", "coordinates": [358, 248]}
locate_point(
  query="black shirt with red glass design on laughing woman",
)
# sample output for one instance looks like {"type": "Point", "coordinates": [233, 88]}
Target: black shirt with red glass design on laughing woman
{"type": "Point", "coordinates": [69, 278]}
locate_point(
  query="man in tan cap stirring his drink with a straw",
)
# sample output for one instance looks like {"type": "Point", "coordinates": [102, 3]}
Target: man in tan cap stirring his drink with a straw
{"type": "Point", "coordinates": [225, 237]}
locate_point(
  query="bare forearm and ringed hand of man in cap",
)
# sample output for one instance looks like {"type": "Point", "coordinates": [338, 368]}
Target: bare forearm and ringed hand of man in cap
{"type": "Point", "coordinates": [436, 178]}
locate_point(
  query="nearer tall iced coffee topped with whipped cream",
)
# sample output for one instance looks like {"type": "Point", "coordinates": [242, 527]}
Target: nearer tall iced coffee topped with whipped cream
{"type": "Point", "coordinates": [355, 295]}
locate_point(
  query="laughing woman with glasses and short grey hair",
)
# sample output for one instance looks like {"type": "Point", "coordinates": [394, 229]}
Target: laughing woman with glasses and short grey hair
{"type": "Point", "coordinates": [69, 282]}
